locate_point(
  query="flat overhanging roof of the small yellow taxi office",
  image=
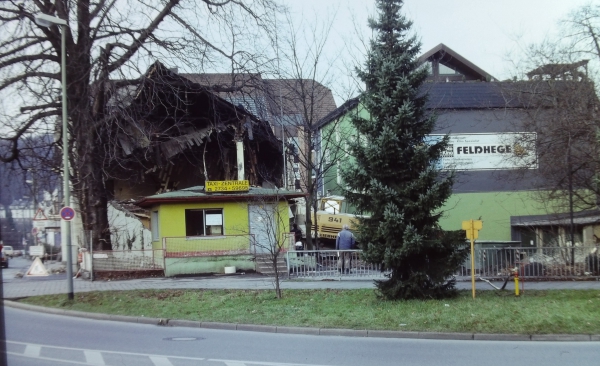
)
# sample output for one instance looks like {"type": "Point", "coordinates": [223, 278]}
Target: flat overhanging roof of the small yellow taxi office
{"type": "Point", "coordinates": [197, 194]}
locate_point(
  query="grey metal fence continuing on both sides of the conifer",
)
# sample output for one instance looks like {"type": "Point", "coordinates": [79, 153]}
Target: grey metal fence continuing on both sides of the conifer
{"type": "Point", "coordinates": [490, 263]}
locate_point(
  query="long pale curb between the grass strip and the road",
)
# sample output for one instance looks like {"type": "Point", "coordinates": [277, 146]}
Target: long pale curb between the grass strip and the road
{"type": "Point", "coordinates": [312, 331]}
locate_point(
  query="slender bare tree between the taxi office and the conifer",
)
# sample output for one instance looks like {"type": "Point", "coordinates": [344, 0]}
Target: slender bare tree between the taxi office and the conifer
{"type": "Point", "coordinates": [303, 100]}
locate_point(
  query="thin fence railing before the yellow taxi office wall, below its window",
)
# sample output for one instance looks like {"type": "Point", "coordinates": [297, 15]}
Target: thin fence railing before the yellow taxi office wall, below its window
{"type": "Point", "coordinates": [206, 246]}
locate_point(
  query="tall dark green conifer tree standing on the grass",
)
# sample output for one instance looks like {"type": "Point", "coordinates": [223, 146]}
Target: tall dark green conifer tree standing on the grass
{"type": "Point", "coordinates": [395, 179]}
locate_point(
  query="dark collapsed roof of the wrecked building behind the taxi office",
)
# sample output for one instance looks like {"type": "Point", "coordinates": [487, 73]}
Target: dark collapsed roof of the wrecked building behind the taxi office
{"type": "Point", "coordinates": [177, 133]}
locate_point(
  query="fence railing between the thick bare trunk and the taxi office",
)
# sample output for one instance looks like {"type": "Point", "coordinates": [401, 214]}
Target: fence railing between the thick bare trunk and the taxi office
{"type": "Point", "coordinates": [125, 260]}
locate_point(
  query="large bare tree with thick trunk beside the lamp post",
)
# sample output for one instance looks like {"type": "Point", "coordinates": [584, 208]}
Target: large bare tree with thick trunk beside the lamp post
{"type": "Point", "coordinates": [108, 44]}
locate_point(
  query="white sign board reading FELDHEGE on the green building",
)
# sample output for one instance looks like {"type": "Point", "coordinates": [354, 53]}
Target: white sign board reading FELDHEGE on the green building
{"type": "Point", "coordinates": [483, 151]}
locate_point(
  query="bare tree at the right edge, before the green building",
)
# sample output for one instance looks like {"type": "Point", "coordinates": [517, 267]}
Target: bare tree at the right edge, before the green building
{"type": "Point", "coordinates": [555, 86]}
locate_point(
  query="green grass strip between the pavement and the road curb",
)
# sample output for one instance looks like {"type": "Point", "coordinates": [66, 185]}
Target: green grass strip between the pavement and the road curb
{"type": "Point", "coordinates": [536, 312]}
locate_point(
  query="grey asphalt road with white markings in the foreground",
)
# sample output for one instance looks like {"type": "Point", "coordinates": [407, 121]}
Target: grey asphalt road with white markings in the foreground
{"type": "Point", "coordinates": [42, 339]}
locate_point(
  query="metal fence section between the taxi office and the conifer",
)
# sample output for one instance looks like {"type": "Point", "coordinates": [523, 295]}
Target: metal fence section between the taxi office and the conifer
{"type": "Point", "coordinates": [330, 264]}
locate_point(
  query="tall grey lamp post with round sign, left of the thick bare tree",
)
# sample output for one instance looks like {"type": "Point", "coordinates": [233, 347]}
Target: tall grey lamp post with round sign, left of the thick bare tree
{"type": "Point", "coordinates": [46, 20]}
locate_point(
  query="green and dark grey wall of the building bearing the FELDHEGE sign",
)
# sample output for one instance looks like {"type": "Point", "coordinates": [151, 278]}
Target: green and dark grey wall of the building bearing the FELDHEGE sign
{"type": "Point", "coordinates": [493, 195]}
